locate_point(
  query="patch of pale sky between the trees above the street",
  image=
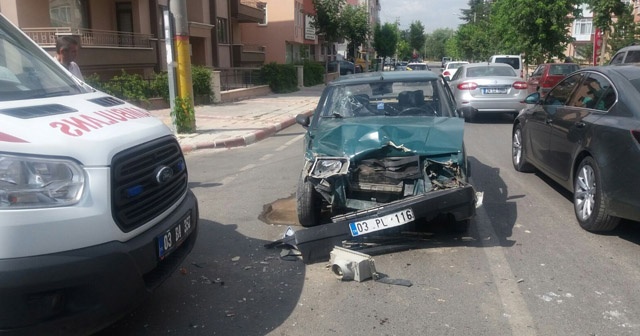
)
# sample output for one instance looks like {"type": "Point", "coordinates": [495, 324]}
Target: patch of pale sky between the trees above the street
{"type": "Point", "coordinates": [433, 14]}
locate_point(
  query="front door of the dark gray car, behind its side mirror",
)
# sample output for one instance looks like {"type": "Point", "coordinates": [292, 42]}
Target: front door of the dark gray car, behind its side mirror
{"type": "Point", "coordinates": [539, 119]}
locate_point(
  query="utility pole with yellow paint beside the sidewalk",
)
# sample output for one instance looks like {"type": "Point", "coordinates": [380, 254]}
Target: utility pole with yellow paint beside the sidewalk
{"type": "Point", "coordinates": [178, 9]}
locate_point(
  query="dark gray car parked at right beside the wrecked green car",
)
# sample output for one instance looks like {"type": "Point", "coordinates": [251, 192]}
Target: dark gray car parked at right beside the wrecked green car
{"type": "Point", "coordinates": [585, 135]}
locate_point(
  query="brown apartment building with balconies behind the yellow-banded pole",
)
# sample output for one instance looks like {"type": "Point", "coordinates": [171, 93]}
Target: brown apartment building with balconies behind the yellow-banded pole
{"type": "Point", "coordinates": [118, 35]}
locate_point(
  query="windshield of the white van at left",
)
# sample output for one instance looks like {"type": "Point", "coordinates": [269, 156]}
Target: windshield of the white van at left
{"type": "Point", "coordinates": [23, 76]}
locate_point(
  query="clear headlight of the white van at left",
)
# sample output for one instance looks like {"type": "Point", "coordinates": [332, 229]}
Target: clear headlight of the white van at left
{"type": "Point", "coordinates": [35, 182]}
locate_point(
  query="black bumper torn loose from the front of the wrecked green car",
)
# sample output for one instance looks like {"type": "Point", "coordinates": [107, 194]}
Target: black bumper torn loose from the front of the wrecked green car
{"type": "Point", "coordinates": [316, 243]}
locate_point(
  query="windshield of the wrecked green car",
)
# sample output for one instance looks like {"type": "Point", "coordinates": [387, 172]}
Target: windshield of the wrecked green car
{"type": "Point", "coordinates": [387, 99]}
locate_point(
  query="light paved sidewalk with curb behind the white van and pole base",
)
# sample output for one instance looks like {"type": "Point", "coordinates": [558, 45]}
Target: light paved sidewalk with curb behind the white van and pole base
{"type": "Point", "coordinates": [244, 122]}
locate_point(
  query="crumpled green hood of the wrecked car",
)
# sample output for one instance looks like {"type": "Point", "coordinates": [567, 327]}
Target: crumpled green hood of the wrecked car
{"type": "Point", "coordinates": [357, 136]}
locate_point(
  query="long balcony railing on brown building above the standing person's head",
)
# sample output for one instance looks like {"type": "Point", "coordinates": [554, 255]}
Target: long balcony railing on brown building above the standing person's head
{"type": "Point", "coordinates": [46, 37]}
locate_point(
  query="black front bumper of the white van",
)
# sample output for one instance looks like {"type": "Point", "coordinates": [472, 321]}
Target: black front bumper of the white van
{"type": "Point", "coordinates": [81, 291]}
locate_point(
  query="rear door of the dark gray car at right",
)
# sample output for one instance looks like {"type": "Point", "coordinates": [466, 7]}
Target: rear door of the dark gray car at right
{"type": "Point", "coordinates": [592, 97]}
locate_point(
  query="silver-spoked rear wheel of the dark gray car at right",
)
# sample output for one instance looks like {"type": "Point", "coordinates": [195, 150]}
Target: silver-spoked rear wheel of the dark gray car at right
{"type": "Point", "coordinates": [589, 202]}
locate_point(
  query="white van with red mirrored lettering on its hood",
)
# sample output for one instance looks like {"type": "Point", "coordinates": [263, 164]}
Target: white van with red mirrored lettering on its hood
{"type": "Point", "coordinates": [95, 209]}
